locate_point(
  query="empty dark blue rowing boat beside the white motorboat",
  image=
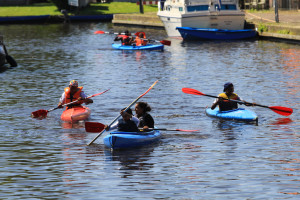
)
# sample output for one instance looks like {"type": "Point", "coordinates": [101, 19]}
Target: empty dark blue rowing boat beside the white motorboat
{"type": "Point", "coordinates": [188, 33]}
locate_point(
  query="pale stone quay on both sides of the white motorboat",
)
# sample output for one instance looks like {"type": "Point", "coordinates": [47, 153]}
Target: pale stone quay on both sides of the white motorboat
{"type": "Point", "coordinates": [288, 27]}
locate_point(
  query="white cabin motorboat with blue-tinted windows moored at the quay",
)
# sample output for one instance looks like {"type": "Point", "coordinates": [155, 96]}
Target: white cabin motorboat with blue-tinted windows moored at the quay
{"type": "Point", "coordinates": [216, 14]}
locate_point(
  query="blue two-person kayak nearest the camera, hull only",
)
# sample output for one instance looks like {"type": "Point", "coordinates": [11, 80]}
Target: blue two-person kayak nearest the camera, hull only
{"type": "Point", "coordinates": [122, 140]}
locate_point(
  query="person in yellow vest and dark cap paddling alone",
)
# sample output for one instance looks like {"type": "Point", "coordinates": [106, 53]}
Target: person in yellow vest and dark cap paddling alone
{"type": "Point", "coordinates": [228, 93]}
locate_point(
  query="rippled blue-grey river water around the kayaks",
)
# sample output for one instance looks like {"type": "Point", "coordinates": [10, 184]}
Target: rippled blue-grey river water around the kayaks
{"type": "Point", "coordinates": [48, 159]}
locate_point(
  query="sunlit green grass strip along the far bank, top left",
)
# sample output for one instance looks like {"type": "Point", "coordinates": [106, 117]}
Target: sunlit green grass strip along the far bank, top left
{"type": "Point", "coordinates": [93, 9]}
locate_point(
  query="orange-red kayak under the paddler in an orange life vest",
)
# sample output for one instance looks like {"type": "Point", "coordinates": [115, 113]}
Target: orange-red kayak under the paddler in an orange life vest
{"type": "Point", "coordinates": [76, 114]}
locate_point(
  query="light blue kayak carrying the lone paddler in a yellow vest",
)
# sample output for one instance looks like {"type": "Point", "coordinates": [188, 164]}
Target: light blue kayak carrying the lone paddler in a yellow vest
{"type": "Point", "coordinates": [236, 114]}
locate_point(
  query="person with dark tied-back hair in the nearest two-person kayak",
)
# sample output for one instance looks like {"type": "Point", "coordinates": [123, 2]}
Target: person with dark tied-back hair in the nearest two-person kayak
{"type": "Point", "coordinates": [146, 120]}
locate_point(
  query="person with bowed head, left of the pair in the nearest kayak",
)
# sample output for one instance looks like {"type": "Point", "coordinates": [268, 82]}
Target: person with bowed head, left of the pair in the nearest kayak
{"type": "Point", "coordinates": [128, 123]}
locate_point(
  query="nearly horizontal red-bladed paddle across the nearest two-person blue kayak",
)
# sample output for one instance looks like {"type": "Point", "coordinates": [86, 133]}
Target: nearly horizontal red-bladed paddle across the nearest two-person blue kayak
{"type": "Point", "coordinates": [95, 127]}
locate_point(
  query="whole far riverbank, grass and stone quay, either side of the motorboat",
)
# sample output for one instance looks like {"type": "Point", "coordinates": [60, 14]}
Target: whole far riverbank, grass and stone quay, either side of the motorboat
{"type": "Point", "coordinates": [288, 27]}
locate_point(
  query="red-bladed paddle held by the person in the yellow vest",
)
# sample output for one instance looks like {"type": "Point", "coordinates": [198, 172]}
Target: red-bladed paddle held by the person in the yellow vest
{"type": "Point", "coordinates": [278, 109]}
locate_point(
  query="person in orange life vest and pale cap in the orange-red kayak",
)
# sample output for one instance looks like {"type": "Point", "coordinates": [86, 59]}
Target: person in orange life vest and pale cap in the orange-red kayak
{"type": "Point", "coordinates": [73, 93]}
